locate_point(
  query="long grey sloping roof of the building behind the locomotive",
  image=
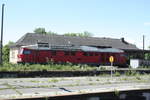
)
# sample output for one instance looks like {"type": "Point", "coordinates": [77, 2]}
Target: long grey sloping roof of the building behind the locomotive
{"type": "Point", "coordinates": [33, 38]}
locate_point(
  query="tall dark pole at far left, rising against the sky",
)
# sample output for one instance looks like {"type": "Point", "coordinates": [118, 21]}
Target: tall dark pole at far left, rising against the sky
{"type": "Point", "coordinates": [2, 21]}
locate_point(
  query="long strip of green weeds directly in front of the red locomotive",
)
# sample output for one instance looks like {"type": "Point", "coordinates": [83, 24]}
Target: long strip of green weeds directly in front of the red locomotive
{"type": "Point", "coordinates": [46, 67]}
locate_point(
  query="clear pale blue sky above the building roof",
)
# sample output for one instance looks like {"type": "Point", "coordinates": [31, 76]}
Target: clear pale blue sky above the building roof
{"type": "Point", "coordinates": [103, 18]}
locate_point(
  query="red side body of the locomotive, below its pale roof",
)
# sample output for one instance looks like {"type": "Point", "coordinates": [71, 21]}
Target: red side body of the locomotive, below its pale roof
{"type": "Point", "coordinates": [77, 57]}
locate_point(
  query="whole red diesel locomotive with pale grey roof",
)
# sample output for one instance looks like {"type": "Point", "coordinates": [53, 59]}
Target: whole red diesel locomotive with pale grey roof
{"type": "Point", "coordinates": [73, 54]}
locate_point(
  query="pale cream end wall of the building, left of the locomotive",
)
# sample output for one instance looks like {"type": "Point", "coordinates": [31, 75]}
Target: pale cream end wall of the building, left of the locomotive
{"type": "Point", "coordinates": [13, 55]}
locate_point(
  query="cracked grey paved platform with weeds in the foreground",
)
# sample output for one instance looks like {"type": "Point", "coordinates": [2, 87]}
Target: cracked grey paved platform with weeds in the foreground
{"type": "Point", "coordinates": [50, 87]}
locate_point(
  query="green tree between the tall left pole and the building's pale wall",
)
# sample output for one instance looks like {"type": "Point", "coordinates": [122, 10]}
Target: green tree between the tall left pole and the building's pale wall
{"type": "Point", "coordinates": [6, 50]}
